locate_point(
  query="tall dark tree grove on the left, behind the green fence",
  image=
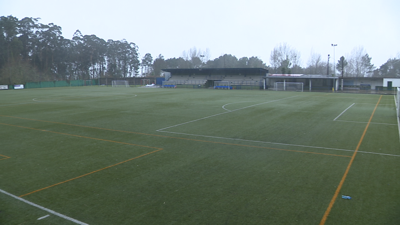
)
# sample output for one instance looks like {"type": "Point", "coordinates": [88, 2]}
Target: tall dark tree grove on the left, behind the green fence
{"type": "Point", "coordinates": [31, 51]}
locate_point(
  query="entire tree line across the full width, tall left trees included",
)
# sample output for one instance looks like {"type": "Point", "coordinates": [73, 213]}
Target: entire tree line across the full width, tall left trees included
{"type": "Point", "coordinates": [31, 51]}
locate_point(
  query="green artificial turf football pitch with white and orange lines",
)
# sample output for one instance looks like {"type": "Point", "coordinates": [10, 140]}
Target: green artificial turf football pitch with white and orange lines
{"type": "Point", "coordinates": [102, 155]}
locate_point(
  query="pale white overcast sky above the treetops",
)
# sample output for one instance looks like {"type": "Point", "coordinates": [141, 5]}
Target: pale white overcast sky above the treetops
{"type": "Point", "coordinates": [238, 27]}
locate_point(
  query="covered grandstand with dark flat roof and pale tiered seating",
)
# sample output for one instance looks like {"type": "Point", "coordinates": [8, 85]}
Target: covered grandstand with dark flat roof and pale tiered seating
{"type": "Point", "coordinates": [235, 78]}
